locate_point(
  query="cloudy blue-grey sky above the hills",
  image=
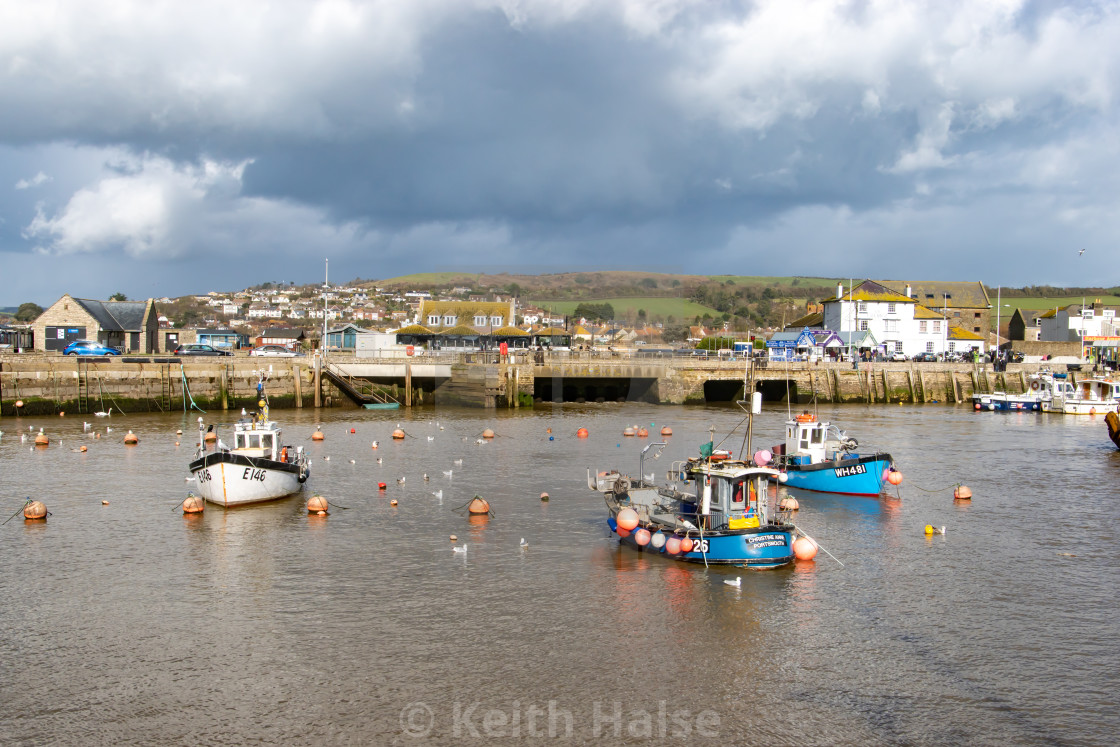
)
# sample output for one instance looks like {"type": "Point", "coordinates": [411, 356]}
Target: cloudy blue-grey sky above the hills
{"type": "Point", "coordinates": [162, 148]}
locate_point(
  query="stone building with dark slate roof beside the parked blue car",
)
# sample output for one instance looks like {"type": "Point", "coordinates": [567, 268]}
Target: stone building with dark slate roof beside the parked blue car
{"type": "Point", "coordinates": [132, 326]}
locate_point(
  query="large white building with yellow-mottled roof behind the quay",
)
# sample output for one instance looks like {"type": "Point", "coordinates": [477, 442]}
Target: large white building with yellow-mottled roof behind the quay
{"type": "Point", "coordinates": [897, 321]}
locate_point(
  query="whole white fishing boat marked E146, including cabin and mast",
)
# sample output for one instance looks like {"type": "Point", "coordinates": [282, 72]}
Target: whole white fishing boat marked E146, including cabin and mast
{"type": "Point", "coordinates": [259, 468]}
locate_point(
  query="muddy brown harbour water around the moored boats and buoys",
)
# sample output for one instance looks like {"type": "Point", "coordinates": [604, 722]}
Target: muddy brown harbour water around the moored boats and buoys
{"type": "Point", "coordinates": [130, 623]}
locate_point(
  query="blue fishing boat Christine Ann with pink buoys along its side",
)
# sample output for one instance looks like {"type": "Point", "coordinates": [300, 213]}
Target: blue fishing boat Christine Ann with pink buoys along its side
{"type": "Point", "coordinates": [729, 518]}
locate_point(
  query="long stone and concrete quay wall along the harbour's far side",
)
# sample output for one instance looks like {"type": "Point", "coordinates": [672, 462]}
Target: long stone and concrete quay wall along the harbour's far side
{"type": "Point", "coordinates": [48, 385]}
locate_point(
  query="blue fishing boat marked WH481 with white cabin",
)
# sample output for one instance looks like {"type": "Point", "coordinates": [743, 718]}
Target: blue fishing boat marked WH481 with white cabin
{"type": "Point", "coordinates": [818, 456]}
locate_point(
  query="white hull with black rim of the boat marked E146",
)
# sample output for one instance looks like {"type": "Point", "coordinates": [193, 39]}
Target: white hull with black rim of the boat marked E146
{"type": "Point", "coordinates": [231, 480]}
